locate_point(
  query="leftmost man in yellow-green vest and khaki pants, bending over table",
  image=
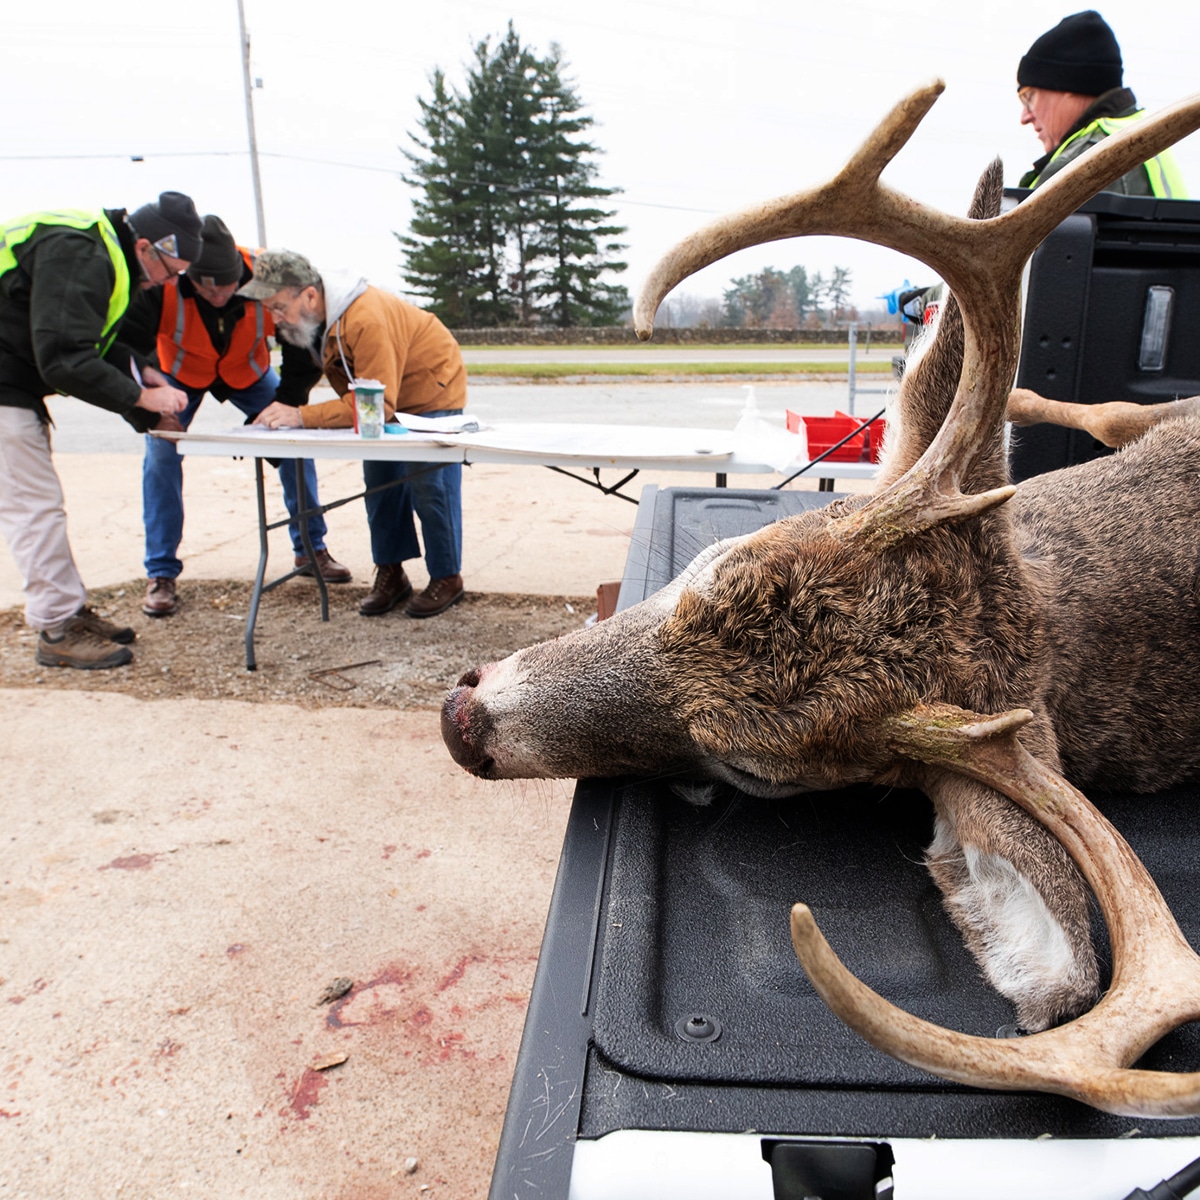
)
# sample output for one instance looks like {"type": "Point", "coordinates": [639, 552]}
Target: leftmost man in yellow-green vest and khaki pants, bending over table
{"type": "Point", "coordinates": [67, 280]}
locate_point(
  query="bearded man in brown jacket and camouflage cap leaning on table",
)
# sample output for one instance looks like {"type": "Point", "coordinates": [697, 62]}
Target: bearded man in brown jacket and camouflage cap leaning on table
{"type": "Point", "coordinates": [355, 331]}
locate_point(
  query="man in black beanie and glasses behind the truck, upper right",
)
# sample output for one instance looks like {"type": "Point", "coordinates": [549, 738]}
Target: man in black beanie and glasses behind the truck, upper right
{"type": "Point", "coordinates": [1071, 91]}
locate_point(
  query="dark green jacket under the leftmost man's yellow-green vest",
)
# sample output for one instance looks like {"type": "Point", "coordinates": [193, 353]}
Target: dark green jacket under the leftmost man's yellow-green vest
{"type": "Point", "coordinates": [57, 302]}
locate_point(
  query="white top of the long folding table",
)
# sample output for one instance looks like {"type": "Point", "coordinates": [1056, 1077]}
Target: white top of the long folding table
{"type": "Point", "coordinates": [629, 447]}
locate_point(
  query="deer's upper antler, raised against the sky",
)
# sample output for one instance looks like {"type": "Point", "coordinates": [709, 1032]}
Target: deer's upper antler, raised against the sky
{"type": "Point", "coordinates": [981, 261]}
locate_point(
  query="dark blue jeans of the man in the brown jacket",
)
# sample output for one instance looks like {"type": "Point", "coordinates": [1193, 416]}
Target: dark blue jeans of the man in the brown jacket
{"type": "Point", "coordinates": [436, 494]}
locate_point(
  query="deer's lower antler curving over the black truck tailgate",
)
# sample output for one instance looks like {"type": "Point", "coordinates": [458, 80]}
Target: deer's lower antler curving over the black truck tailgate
{"type": "Point", "coordinates": [1156, 977]}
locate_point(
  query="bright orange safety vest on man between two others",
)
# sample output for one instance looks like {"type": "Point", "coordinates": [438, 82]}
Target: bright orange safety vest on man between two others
{"type": "Point", "coordinates": [187, 353]}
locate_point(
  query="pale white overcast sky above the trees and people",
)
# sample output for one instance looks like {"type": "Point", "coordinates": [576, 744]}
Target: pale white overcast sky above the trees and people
{"type": "Point", "coordinates": [701, 109]}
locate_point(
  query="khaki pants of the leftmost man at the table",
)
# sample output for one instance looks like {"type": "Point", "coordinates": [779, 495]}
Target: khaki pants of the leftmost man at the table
{"type": "Point", "coordinates": [35, 523]}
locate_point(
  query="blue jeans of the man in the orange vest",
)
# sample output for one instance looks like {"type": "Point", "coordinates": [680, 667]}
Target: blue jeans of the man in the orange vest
{"type": "Point", "coordinates": [163, 484]}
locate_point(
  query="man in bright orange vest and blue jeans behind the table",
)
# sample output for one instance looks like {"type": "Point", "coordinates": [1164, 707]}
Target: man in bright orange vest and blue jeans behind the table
{"type": "Point", "coordinates": [208, 339]}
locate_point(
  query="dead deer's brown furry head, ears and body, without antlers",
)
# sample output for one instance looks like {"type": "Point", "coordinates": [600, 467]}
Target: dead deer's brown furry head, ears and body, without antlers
{"type": "Point", "coordinates": [772, 663]}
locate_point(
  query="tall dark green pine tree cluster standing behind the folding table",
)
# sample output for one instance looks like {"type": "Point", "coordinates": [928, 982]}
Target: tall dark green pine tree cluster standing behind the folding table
{"type": "Point", "coordinates": [508, 227]}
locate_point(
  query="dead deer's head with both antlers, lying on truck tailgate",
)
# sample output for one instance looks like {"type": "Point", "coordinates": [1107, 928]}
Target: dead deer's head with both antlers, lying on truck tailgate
{"type": "Point", "coordinates": [841, 646]}
